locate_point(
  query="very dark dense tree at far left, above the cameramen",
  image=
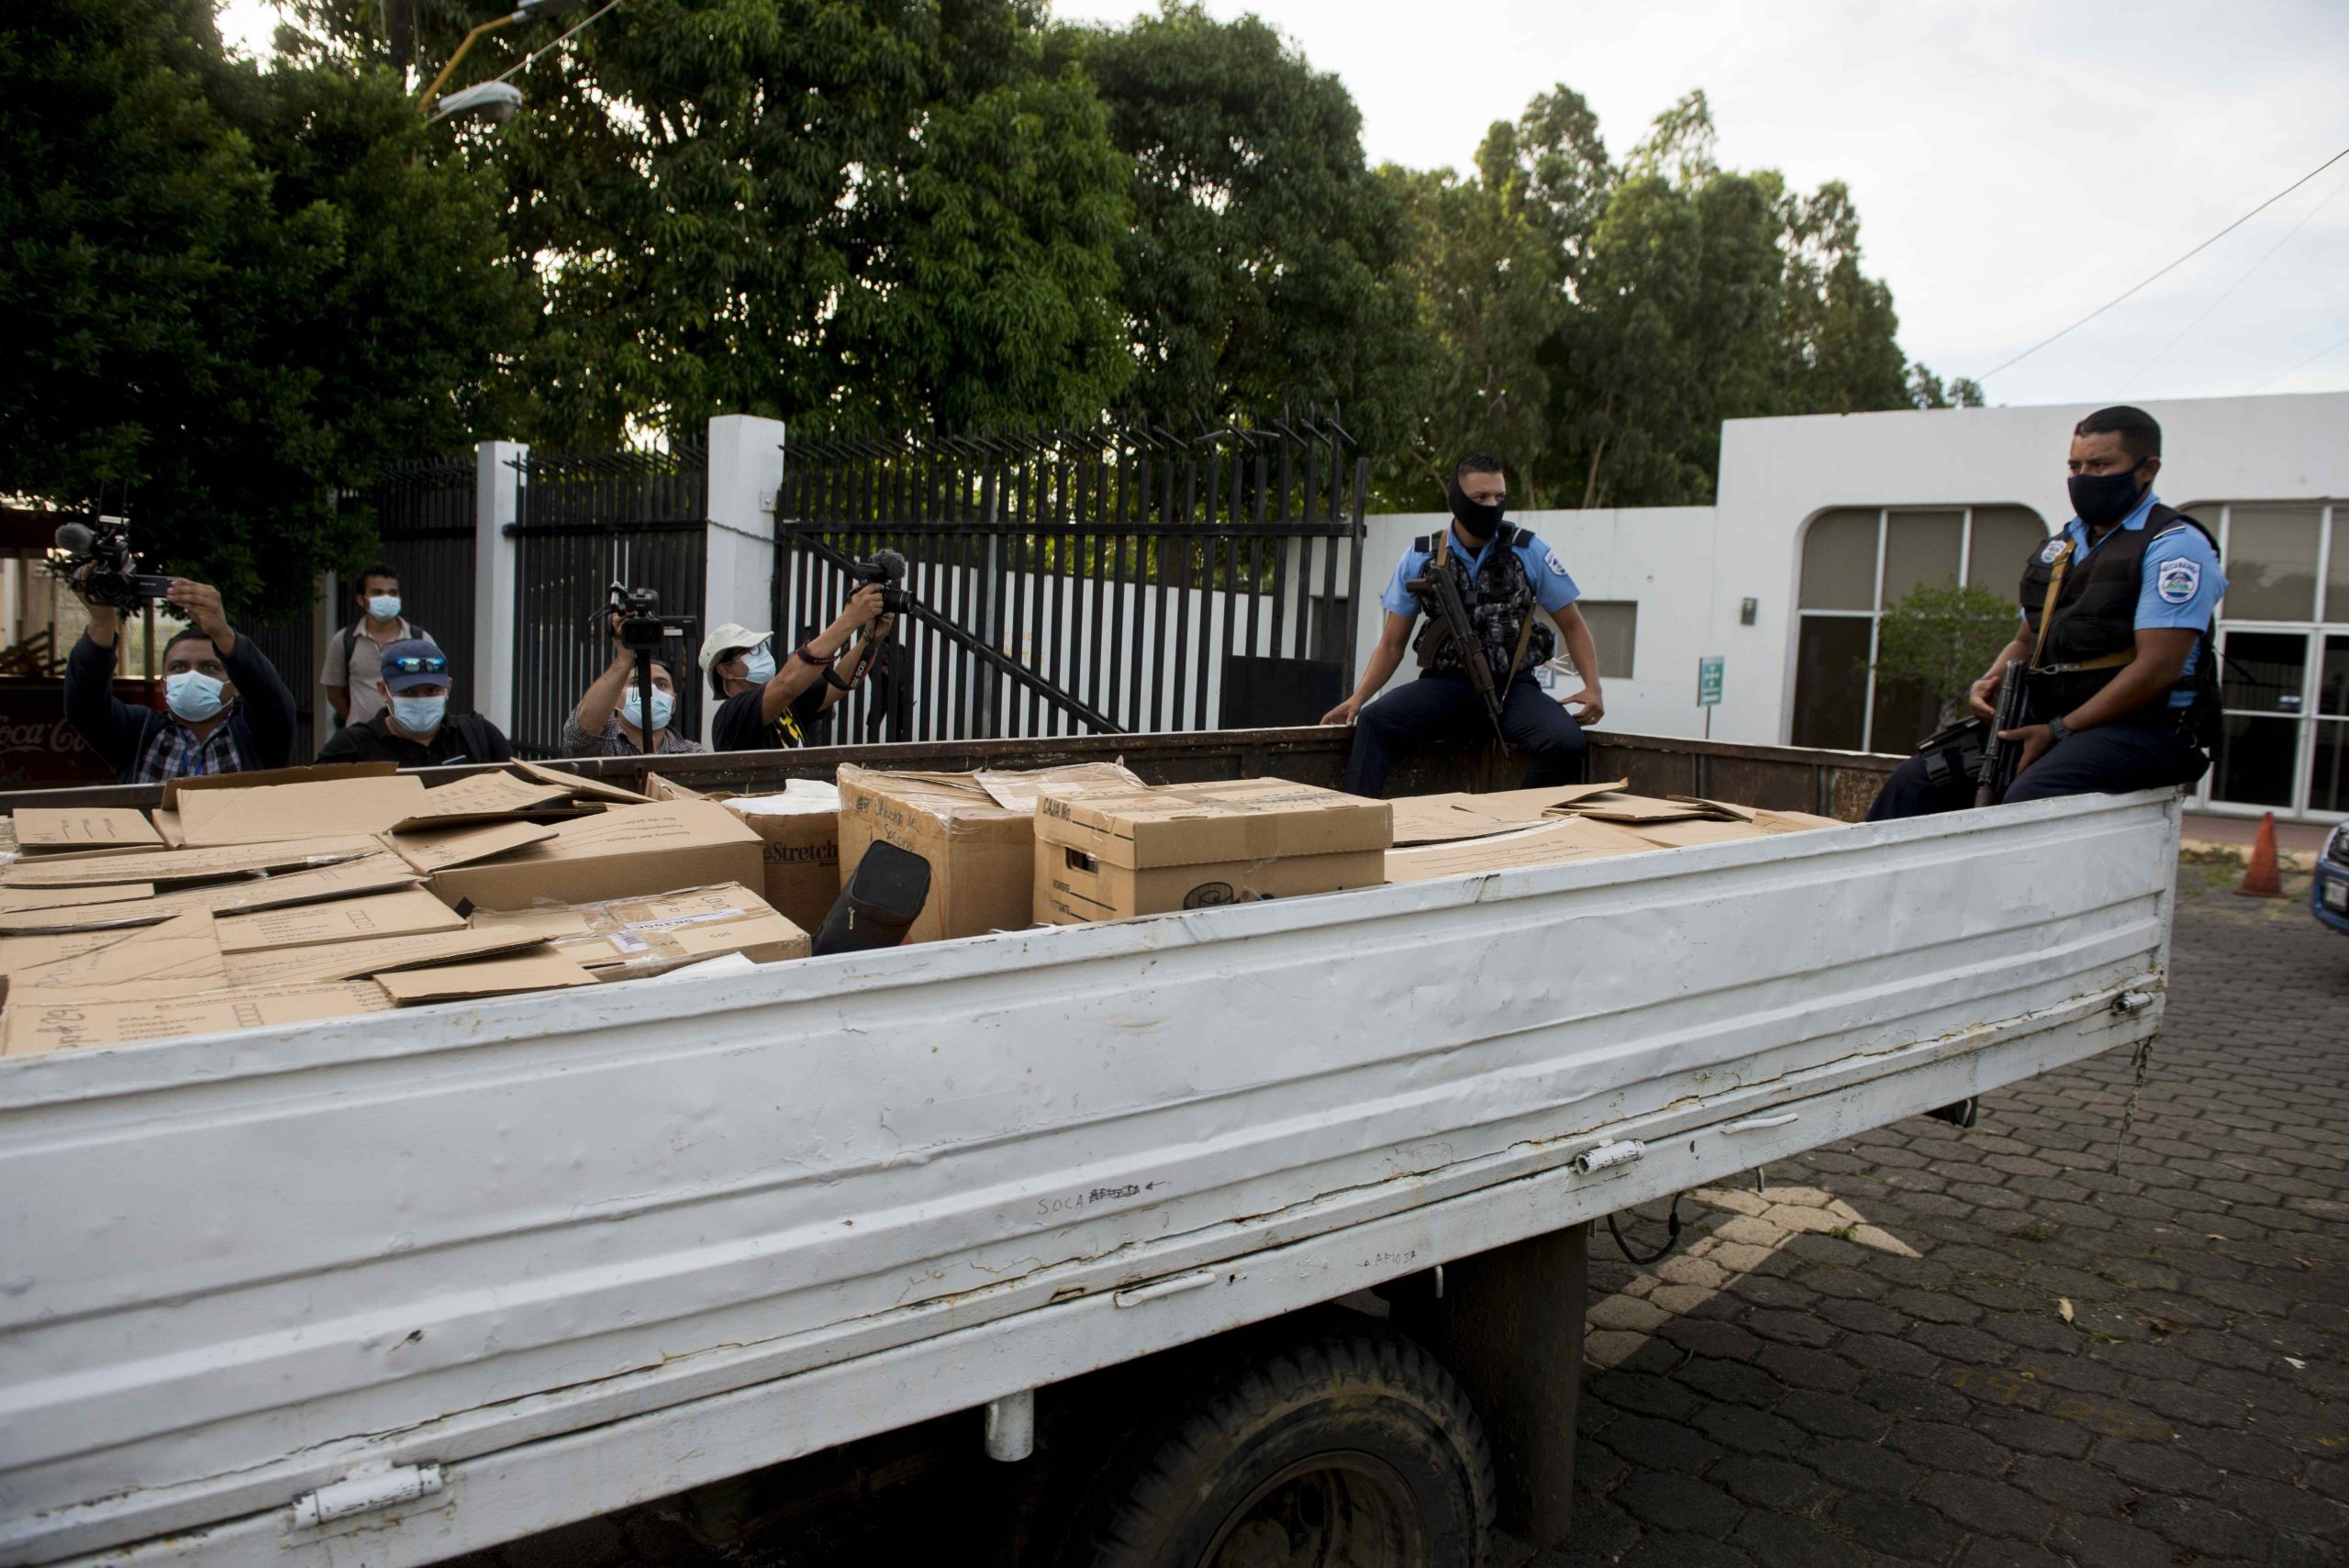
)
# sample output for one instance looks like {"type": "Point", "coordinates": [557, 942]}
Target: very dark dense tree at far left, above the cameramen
{"type": "Point", "coordinates": [231, 290]}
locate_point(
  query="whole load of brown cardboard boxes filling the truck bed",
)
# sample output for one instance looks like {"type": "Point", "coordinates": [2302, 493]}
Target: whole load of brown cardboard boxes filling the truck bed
{"type": "Point", "coordinates": [339, 893]}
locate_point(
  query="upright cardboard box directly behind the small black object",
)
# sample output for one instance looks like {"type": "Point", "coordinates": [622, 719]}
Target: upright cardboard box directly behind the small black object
{"type": "Point", "coordinates": [983, 856]}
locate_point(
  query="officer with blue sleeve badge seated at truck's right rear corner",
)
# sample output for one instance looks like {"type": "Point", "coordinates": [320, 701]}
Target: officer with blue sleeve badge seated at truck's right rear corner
{"type": "Point", "coordinates": [2125, 689]}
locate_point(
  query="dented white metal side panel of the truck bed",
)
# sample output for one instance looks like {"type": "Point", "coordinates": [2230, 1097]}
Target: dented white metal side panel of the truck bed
{"type": "Point", "coordinates": [584, 1250]}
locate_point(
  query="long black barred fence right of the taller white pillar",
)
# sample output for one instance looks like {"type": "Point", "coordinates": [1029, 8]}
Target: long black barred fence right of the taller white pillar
{"type": "Point", "coordinates": [1084, 581]}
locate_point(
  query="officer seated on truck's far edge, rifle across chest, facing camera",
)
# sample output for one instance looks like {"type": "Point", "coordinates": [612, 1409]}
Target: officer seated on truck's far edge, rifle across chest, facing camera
{"type": "Point", "coordinates": [1502, 574]}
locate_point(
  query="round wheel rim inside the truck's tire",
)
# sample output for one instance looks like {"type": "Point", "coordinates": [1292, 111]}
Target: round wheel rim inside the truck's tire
{"type": "Point", "coordinates": [1331, 1510]}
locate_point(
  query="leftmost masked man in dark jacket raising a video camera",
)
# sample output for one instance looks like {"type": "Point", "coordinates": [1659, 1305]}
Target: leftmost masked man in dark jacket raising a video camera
{"type": "Point", "coordinates": [227, 705]}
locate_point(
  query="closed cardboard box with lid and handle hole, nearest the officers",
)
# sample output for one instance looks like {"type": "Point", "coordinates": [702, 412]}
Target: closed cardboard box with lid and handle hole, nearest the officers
{"type": "Point", "coordinates": [1194, 846]}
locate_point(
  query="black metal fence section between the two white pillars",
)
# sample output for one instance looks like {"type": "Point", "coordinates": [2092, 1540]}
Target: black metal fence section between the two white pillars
{"type": "Point", "coordinates": [586, 522]}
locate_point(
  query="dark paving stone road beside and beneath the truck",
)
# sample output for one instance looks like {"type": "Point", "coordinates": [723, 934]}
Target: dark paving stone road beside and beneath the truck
{"type": "Point", "coordinates": [2108, 1327]}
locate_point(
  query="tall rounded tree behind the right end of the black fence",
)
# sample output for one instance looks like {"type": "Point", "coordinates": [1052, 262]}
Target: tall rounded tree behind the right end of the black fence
{"type": "Point", "coordinates": [1265, 264]}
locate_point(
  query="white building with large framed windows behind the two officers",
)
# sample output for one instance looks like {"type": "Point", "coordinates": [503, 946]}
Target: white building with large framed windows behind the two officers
{"type": "Point", "coordinates": [1824, 520]}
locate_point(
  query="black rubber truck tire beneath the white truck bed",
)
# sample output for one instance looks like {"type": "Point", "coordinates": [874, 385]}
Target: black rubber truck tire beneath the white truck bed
{"type": "Point", "coordinates": [1342, 1449]}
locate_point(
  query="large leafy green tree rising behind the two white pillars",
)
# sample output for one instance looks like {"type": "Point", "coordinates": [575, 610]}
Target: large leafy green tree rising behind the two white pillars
{"type": "Point", "coordinates": [896, 210]}
